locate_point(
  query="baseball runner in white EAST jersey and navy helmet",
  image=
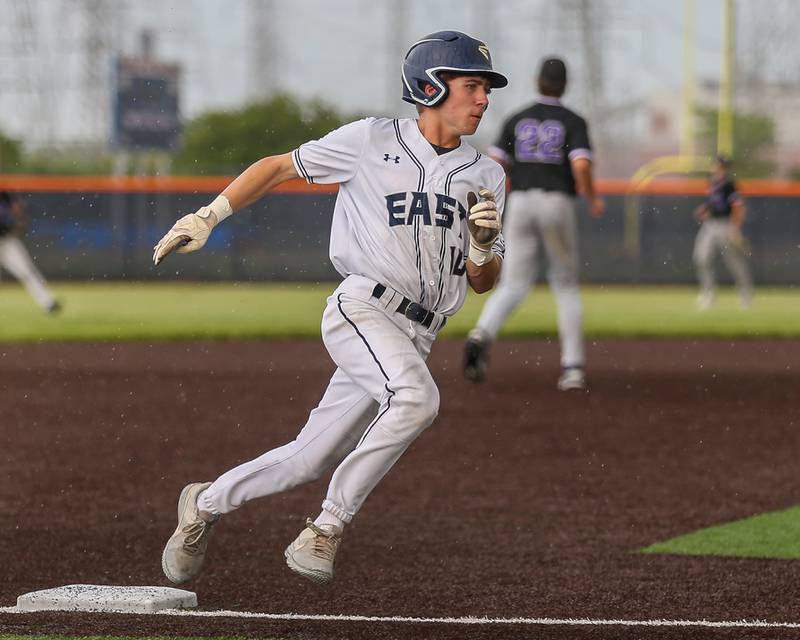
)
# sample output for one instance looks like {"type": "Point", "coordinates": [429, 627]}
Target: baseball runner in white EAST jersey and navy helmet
{"type": "Point", "coordinates": [417, 218]}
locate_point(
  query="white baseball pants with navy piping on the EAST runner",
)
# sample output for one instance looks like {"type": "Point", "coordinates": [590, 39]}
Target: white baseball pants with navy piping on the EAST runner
{"type": "Point", "coordinates": [380, 398]}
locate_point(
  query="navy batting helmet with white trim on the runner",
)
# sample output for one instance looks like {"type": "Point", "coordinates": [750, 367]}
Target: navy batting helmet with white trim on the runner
{"type": "Point", "coordinates": [445, 51]}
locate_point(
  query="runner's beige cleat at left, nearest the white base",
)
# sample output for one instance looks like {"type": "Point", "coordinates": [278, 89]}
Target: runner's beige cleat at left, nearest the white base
{"type": "Point", "coordinates": [186, 549]}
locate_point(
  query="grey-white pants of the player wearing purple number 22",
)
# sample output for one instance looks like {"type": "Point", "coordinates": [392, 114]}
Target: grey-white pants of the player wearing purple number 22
{"type": "Point", "coordinates": [535, 217]}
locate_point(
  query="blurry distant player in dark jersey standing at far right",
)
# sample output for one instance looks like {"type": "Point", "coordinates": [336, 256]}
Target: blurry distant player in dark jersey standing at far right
{"type": "Point", "coordinates": [721, 219]}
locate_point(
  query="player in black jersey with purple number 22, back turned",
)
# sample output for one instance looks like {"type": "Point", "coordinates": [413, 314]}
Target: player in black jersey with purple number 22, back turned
{"type": "Point", "coordinates": [546, 151]}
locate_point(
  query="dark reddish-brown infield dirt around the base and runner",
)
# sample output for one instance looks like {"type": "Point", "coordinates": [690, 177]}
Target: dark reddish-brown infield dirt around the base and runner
{"type": "Point", "coordinates": [520, 500]}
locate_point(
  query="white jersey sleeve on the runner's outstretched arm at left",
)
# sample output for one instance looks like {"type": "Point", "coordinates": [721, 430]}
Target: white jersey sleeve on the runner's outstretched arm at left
{"type": "Point", "coordinates": [335, 157]}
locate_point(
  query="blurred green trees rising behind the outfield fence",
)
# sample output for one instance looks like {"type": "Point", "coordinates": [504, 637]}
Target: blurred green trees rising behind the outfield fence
{"type": "Point", "coordinates": [226, 142]}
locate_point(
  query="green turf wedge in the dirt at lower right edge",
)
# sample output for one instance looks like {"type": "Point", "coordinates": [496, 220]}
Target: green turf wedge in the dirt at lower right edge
{"type": "Point", "coordinates": [769, 535]}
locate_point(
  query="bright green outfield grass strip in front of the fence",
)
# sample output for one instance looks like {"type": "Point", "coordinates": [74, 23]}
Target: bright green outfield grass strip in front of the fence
{"type": "Point", "coordinates": [170, 311]}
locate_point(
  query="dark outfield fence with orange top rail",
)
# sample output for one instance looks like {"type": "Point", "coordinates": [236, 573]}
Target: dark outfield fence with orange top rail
{"type": "Point", "coordinates": [105, 228]}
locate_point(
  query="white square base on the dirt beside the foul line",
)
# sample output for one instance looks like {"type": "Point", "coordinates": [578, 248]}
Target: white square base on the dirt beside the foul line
{"type": "Point", "coordinates": [98, 598]}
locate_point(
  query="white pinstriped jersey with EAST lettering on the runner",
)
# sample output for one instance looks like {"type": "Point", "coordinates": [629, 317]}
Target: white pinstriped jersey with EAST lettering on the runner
{"type": "Point", "coordinates": [400, 215]}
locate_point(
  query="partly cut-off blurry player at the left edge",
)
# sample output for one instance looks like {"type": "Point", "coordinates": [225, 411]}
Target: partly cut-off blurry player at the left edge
{"type": "Point", "coordinates": [14, 257]}
